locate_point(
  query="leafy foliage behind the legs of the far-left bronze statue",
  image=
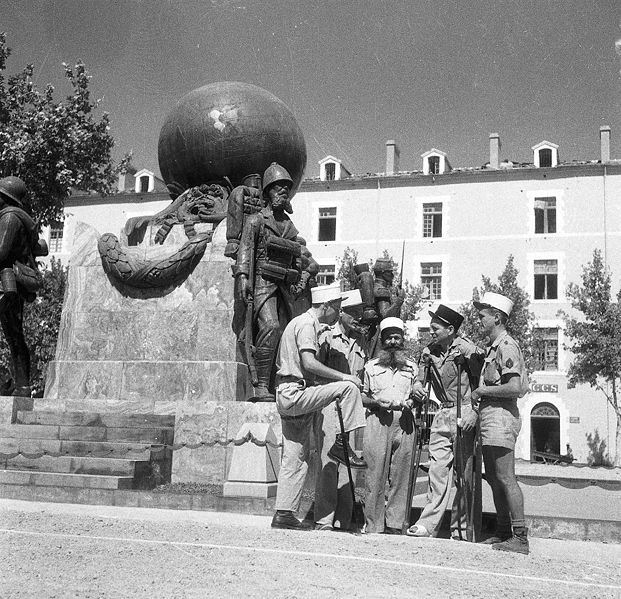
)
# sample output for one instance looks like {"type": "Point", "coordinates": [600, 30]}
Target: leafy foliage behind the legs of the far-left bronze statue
{"type": "Point", "coordinates": [41, 325]}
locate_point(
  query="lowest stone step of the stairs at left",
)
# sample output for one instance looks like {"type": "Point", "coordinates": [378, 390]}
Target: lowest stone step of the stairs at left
{"type": "Point", "coordinates": [55, 479]}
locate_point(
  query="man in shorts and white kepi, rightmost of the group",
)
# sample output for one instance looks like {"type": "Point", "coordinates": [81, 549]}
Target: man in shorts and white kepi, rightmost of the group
{"type": "Point", "coordinates": [503, 381]}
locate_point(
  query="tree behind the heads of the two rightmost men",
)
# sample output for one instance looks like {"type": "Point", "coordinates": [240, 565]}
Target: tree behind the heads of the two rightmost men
{"type": "Point", "coordinates": [521, 321]}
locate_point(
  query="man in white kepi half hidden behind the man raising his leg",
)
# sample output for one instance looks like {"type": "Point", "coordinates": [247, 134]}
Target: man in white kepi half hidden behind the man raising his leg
{"type": "Point", "coordinates": [341, 348]}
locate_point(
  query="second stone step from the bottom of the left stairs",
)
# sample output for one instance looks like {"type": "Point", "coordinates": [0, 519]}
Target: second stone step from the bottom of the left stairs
{"type": "Point", "coordinates": [74, 465]}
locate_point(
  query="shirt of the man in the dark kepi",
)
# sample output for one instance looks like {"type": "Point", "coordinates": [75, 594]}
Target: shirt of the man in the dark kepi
{"type": "Point", "coordinates": [445, 364]}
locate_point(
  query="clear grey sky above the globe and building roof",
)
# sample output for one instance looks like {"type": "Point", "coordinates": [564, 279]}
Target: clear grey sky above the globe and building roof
{"type": "Point", "coordinates": [355, 73]}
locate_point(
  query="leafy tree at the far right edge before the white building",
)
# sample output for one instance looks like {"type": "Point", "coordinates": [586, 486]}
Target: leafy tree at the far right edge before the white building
{"type": "Point", "coordinates": [595, 336]}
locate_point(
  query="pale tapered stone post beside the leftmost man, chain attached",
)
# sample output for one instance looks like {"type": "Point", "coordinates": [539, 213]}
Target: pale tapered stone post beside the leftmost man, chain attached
{"type": "Point", "coordinates": [254, 467]}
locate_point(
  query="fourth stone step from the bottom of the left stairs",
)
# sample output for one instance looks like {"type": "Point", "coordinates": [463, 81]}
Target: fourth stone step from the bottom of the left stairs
{"type": "Point", "coordinates": [87, 433]}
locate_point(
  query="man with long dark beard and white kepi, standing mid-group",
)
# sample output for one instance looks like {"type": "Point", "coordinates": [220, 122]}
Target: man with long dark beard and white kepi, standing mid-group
{"type": "Point", "coordinates": [390, 434]}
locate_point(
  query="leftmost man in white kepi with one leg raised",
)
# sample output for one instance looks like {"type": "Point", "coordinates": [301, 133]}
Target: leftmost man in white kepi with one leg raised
{"type": "Point", "coordinates": [300, 399]}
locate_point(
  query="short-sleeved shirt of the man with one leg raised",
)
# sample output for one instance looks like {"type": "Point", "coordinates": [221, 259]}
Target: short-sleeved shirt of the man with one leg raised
{"type": "Point", "coordinates": [302, 333]}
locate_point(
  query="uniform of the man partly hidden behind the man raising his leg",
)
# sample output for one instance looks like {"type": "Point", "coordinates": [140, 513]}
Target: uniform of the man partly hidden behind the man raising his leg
{"type": "Point", "coordinates": [333, 501]}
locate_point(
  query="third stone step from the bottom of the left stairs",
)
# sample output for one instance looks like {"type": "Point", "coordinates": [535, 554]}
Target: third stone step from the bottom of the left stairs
{"type": "Point", "coordinates": [130, 451]}
